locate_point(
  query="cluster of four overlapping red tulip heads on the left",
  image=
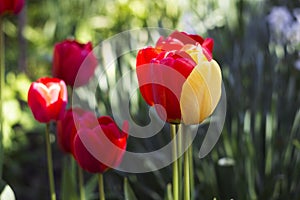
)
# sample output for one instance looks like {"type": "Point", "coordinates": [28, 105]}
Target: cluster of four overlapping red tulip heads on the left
{"type": "Point", "coordinates": [76, 127]}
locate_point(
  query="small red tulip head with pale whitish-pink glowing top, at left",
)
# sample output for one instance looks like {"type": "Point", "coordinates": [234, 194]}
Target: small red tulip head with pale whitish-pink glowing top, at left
{"type": "Point", "coordinates": [47, 99]}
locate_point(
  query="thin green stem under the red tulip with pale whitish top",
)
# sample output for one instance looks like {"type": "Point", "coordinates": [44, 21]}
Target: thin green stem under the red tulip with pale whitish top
{"type": "Point", "coordinates": [50, 165]}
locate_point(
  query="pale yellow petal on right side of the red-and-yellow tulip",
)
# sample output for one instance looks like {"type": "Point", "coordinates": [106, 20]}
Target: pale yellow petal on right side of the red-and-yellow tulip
{"type": "Point", "coordinates": [201, 92]}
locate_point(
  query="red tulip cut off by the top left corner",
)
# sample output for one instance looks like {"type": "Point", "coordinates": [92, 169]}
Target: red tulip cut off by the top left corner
{"type": "Point", "coordinates": [11, 6]}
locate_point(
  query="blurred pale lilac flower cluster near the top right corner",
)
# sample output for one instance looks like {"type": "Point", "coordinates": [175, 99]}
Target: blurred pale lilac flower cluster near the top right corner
{"type": "Point", "coordinates": [279, 19]}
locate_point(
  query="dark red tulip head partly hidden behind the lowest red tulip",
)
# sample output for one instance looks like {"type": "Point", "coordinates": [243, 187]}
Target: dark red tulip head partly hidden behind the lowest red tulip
{"type": "Point", "coordinates": [67, 129]}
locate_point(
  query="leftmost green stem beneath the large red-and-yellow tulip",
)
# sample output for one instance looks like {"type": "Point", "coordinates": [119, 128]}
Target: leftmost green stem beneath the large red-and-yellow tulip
{"type": "Point", "coordinates": [175, 163]}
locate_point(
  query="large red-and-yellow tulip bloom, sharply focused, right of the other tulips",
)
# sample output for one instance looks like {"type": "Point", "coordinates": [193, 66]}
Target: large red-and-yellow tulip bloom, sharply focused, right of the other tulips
{"type": "Point", "coordinates": [180, 75]}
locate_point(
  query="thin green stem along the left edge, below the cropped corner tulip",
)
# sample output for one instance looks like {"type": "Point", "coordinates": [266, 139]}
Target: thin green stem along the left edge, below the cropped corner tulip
{"type": "Point", "coordinates": [2, 76]}
